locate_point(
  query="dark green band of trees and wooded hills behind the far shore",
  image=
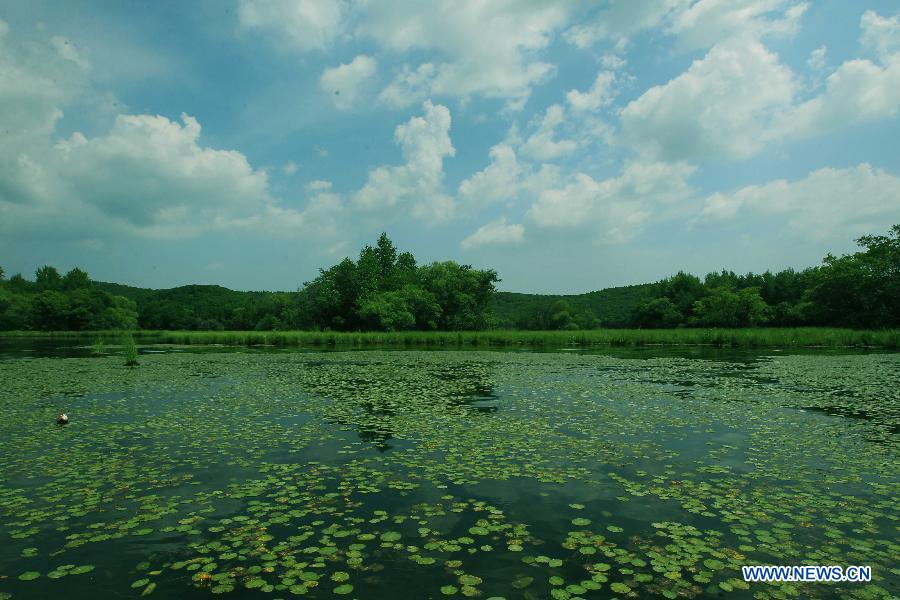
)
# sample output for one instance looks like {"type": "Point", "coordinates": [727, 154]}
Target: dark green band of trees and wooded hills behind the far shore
{"type": "Point", "coordinates": [387, 290]}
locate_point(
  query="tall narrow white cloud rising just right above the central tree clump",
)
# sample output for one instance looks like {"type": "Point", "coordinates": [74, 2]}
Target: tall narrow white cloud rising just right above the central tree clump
{"type": "Point", "coordinates": [416, 184]}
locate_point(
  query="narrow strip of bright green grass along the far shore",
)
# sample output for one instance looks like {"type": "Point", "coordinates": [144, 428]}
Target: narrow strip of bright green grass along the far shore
{"type": "Point", "coordinates": [720, 338]}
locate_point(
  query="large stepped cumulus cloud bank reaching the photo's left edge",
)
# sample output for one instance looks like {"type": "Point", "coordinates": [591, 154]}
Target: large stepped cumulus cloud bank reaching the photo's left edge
{"type": "Point", "coordinates": [145, 176]}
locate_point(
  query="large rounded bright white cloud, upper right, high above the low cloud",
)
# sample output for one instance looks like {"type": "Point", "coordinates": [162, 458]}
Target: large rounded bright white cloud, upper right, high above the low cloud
{"type": "Point", "coordinates": [720, 107]}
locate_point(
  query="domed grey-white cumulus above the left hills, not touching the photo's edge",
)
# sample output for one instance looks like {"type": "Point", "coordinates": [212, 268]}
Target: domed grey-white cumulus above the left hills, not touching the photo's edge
{"type": "Point", "coordinates": [153, 175]}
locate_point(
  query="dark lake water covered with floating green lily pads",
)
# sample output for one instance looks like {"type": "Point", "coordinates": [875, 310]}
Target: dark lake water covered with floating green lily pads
{"type": "Point", "coordinates": [253, 473]}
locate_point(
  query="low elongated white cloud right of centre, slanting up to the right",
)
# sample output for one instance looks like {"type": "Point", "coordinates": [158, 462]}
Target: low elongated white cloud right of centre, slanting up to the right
{"type": "Point", "coordinates": [617, 208]}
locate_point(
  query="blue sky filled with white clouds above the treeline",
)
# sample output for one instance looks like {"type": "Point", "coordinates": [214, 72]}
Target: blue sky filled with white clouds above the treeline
{"type": "Point", "coordinates": [569, 145]}
